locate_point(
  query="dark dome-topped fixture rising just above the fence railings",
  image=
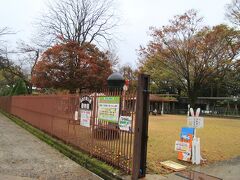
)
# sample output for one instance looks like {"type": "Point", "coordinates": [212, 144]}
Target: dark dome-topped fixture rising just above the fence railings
{"type": "Point", "coordinates": [115, 81]}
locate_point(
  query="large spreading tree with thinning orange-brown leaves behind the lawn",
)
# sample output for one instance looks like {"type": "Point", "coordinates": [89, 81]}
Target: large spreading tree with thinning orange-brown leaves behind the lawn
{"type": "Point", "coordinates": [192, 53]}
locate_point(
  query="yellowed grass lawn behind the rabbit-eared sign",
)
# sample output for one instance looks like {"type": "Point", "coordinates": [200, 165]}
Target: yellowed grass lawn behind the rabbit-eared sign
{"type": "Point", "coordinates": [220, 139]}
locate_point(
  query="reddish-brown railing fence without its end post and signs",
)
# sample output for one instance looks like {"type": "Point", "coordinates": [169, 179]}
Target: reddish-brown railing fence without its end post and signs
{"type": "Point", "coordinates": [54, 114]}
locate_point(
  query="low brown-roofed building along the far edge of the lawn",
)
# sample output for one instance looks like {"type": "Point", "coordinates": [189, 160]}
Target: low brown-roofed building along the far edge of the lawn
{"type": "Point", "coordinates": [173, 104]}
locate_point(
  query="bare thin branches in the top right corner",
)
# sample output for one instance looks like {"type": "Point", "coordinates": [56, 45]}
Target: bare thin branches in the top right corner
{"type": "Point", "coordinates": [233, 12]}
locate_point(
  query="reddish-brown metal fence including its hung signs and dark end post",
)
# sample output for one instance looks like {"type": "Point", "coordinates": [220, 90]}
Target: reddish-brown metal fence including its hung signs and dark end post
{"type": "Point", "coordinates": [103, 124]}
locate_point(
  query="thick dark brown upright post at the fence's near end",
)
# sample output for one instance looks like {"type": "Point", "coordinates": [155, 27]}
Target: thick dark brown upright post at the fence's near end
{"type": "Point", "coordinates": [141, 127]}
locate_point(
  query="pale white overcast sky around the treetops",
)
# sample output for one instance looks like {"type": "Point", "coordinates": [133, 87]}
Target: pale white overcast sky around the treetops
{"type": "Point", "coordinates": [136, 18]}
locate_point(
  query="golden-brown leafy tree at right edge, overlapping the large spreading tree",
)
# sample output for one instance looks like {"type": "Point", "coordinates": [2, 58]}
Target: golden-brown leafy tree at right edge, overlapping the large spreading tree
{"type": "Point", "coordinates": [222, 45]}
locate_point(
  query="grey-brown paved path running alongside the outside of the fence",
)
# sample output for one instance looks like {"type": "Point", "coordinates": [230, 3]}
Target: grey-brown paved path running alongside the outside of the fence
{"type": "Point", "coordinates": [25, 157]}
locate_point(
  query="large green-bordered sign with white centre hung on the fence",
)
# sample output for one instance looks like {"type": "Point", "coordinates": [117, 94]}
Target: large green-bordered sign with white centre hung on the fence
{"type": "Point", "coordinates": [108, 108]}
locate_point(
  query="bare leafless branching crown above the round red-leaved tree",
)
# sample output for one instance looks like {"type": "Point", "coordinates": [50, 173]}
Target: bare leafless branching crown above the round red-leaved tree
{"type": "Point", "coordinates": [79, 21]}
